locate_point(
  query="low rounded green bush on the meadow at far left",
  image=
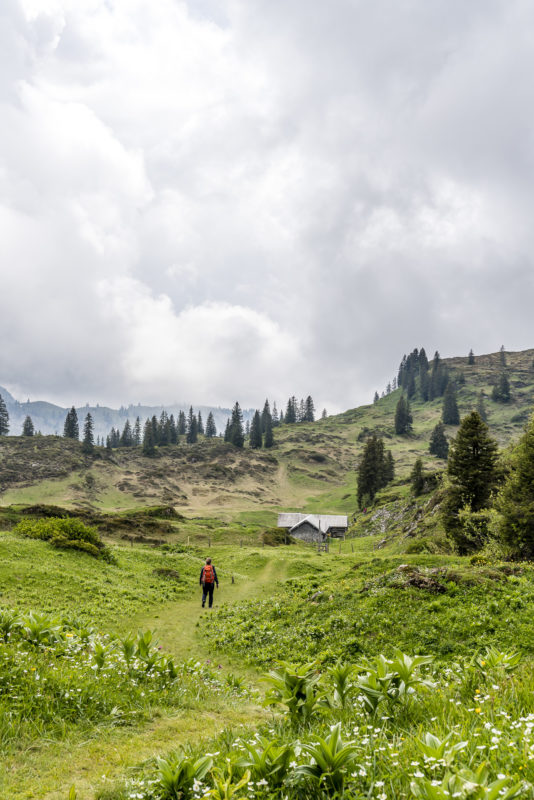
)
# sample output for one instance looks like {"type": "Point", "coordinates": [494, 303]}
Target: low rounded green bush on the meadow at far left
{"type": "Point", "coordinates": [71, 534]}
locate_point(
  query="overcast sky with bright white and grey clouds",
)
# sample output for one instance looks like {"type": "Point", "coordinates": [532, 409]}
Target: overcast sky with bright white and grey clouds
{"type": "Point", "coordinates": [219, 200]}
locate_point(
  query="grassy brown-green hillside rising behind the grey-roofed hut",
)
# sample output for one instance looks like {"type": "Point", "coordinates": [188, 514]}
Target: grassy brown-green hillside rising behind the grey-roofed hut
{"type": "Point", "coordinates": [312, 466]}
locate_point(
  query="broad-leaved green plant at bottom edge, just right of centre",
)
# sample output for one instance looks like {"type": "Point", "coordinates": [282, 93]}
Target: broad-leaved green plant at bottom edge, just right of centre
{"type": "Point", "coordinates": [330, 760]}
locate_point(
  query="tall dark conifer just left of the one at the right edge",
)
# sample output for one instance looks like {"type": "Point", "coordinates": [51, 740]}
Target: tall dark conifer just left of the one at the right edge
{"type": "Point", "coordinates": [473, 474]}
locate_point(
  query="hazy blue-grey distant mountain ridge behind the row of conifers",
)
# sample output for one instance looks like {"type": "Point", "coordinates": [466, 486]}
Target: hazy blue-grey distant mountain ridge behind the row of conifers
{"type": "Point", "coordinates": [49, 418]}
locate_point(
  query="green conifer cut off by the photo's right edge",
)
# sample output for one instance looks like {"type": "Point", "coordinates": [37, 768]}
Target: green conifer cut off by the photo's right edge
{"type": "Point", "coordinates": [516, 501]}
